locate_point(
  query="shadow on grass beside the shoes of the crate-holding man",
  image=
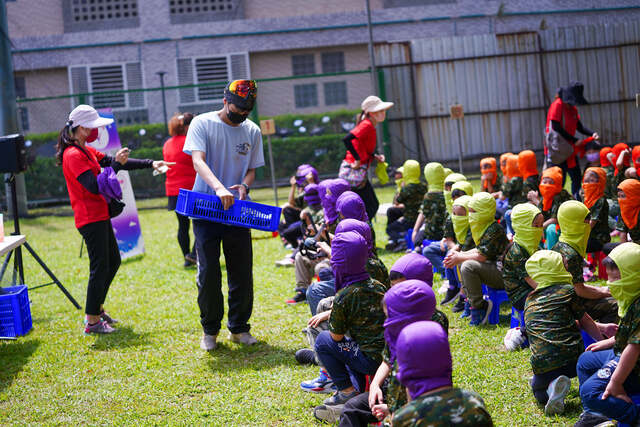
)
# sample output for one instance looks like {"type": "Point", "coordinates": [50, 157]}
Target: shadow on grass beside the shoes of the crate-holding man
{"type": "Point", "coordinates": [228, 356]}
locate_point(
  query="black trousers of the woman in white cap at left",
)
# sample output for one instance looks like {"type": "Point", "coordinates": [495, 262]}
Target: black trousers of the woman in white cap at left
{"type": "Point", "coordinates": [104, 261]}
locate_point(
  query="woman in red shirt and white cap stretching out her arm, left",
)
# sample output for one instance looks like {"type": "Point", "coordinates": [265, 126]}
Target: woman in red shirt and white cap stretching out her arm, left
{"type": "Point", "coordinates": [81, 166]}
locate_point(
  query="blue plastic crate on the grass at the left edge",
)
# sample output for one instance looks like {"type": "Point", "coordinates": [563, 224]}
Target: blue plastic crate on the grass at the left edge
{"type": "Point", "coordinates": [15, 311]}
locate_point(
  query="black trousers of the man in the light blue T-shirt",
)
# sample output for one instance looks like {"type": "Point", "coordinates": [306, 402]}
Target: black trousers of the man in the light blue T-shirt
{"type": "Point", "coordinates": [238, 255]}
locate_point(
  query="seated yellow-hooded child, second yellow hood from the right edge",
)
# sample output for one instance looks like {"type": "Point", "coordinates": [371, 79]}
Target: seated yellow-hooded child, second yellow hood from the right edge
{"type": "Point", "coordinates": [574, 219]}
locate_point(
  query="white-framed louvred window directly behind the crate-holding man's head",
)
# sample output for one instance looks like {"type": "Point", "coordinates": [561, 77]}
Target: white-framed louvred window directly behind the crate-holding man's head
{"type": "Point", "coordinates": [210, 75]}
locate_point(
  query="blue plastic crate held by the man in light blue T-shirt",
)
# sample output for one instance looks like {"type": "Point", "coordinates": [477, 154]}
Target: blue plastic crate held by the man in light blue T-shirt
{"type": "Point", "coordinates": [242, 214]}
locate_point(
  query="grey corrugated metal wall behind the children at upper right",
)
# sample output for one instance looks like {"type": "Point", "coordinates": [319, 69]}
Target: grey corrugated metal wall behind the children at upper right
{"type": "Point", "coordinates": [506, 84]}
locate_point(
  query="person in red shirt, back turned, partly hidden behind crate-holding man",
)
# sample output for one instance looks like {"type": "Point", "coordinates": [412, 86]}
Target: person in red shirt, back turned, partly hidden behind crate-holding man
{"type": "Point", "coordinates": [181, 175]}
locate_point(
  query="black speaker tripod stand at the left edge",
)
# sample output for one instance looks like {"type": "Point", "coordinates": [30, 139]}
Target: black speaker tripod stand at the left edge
{"type": "Point", "coordinates": [18, 267]}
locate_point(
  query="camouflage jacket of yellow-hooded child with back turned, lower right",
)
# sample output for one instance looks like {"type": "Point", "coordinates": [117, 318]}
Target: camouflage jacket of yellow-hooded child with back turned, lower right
{"type": "Point", "coordinates": [550, 316]}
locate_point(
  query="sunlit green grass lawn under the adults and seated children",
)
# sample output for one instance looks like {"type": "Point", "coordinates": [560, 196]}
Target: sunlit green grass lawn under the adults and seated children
{"type": "Point", "coordinates": [152, 370]}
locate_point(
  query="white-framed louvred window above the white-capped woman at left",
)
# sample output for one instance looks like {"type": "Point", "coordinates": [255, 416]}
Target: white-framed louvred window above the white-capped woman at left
{"type": "Point", "coordinates": [111, 80]}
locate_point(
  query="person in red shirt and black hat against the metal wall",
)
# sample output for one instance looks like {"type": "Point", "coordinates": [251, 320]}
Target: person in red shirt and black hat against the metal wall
{"type": "Point", "coordinates": [563, 118]}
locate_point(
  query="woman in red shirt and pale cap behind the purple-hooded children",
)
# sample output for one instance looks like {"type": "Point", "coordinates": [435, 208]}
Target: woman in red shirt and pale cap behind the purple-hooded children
{"type": "Point", "coordinates": [361, 149]}
